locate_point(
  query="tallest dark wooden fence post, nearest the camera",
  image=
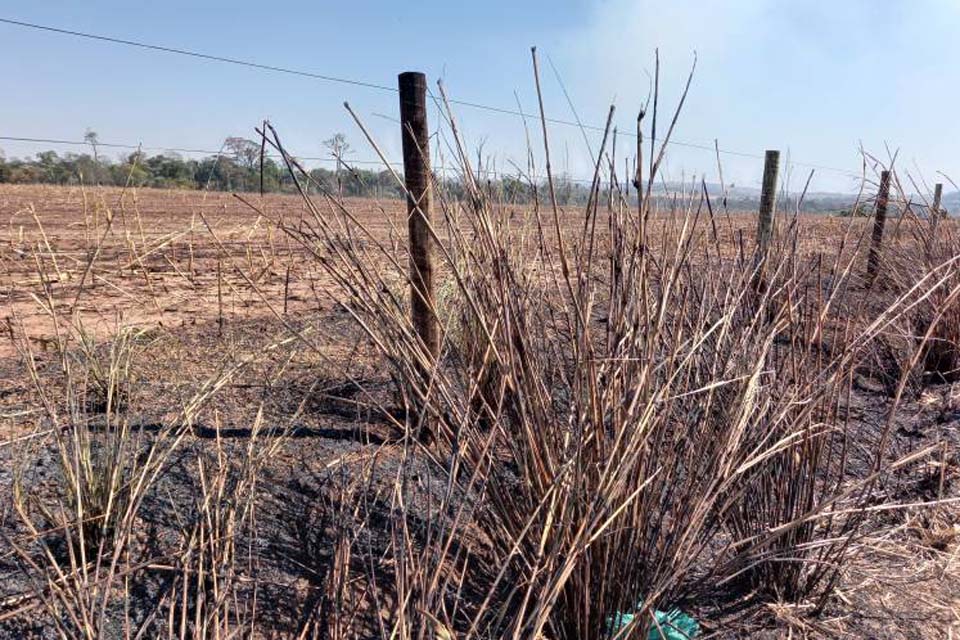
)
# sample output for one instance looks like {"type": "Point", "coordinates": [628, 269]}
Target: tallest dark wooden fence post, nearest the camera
{"type": "Point", "coordinates": [416, 171]}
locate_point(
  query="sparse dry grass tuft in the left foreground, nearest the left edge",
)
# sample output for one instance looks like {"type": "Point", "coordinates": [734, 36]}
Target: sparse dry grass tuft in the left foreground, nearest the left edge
{"type": "Point", "coordinates": [79, 538]}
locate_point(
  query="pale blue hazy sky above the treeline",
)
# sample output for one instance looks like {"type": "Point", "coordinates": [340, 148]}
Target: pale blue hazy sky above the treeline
{"type": "Point", "coordinates": [816, 79]}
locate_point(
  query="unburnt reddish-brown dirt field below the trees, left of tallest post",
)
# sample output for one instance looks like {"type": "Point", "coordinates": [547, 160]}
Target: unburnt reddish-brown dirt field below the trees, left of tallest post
{"type": "Point", "coordinates": [153, 257]}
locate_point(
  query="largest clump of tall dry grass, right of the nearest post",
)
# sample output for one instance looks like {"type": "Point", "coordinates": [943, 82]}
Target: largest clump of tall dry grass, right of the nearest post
{"type": "Point", "coordinates": [626, 423]}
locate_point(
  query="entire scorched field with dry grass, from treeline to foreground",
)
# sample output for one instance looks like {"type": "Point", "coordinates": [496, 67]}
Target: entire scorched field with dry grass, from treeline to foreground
{"type": "Point", "coordinates": [211, 405]}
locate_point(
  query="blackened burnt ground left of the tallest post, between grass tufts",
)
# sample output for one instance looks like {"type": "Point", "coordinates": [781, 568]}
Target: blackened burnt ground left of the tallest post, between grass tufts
{"type": "Point", "coordinates": [317, 439]}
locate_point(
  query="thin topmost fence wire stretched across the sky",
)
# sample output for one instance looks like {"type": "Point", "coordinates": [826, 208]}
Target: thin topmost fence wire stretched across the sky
{"type": "Point", "coordinates": [251, 64]}
